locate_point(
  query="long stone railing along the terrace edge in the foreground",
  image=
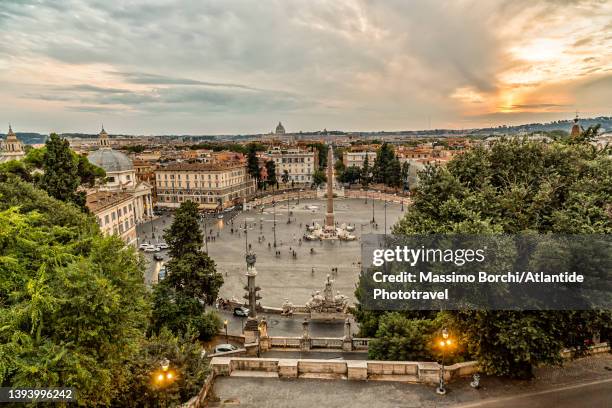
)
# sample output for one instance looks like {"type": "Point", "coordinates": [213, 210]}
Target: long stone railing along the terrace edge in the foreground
{"type": "Point", "coordinates": [403, 371]}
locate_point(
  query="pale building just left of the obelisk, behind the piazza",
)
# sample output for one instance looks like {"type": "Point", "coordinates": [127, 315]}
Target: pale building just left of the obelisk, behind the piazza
{"type": "Point", "coordinates": [299, 163]}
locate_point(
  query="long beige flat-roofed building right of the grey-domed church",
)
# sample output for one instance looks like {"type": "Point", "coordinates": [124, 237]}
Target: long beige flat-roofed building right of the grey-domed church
{"type": "Point", "coordinates": [210, 185]}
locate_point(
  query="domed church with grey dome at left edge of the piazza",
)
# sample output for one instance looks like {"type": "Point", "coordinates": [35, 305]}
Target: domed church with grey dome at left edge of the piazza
{"type": "Point", "coordinates": [121, 177]}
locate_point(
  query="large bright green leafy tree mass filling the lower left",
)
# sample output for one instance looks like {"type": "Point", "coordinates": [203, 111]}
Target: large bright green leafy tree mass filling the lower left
{"type": "Point", "coordinates": [73, 306]}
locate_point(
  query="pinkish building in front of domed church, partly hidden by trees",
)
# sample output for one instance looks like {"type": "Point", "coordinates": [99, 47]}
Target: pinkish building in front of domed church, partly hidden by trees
{"type": "Point", "coordinates": [115, 213]}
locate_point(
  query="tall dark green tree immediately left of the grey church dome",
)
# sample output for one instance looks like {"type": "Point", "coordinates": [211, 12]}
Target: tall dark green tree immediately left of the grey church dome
{"type": "Point", "coordinates": [61, 174]}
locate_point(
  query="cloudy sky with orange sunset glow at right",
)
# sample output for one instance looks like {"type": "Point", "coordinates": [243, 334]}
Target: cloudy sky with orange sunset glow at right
{"type": "Point", "coordinates": [229, 67]}
